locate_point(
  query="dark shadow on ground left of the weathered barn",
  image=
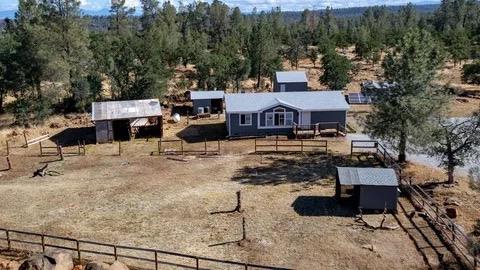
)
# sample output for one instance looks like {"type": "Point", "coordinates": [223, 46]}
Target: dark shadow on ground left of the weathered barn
{"type": "Point", "coordinates": [71, 136]}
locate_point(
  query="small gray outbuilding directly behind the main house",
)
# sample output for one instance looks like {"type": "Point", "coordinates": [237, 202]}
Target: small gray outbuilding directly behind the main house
{"type": "Point", "coordinates": [290, 81]}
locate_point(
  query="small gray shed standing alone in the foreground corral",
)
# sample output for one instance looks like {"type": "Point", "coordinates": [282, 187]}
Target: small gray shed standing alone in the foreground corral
{"type": "Point", "coordinates": [370, 188]}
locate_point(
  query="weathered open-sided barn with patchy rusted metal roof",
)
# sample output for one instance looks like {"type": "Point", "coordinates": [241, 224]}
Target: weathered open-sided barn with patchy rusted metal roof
{"type": "Point", "coordinates": [122, 120]}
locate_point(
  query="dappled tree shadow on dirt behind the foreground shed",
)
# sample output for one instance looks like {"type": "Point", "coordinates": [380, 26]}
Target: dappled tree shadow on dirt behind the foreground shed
{"type": "Point", "coordinates": [308, 169]}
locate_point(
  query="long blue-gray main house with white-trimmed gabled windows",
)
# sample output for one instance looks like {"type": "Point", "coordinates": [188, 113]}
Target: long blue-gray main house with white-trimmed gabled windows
{"type": "Point", "coordinates": [279, 113]}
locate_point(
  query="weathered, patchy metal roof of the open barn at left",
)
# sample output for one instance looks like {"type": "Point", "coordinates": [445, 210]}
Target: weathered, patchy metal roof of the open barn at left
{"type": "Point", "coordinates": [128, 109]}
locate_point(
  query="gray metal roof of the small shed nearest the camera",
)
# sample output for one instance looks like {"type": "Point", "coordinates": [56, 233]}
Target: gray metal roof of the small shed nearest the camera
{"type": "Point", "coordinates": [367, 176]}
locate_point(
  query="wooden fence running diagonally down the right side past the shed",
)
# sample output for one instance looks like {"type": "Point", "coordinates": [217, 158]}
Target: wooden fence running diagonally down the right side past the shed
{"type": "Point", "coordinates": [451, 233]}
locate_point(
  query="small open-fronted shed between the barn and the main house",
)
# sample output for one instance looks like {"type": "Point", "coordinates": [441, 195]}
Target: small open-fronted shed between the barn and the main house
{"type": "Point", "coordinates": [207, 101]}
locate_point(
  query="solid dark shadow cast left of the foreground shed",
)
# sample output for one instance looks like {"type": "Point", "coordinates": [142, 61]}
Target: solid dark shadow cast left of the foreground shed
{"type": "Point", "coordinates": [318, 206]}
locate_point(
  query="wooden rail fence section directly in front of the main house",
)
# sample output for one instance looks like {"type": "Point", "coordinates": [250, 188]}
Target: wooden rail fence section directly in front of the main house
{"type": "Point", "coordinates": [279, 145]}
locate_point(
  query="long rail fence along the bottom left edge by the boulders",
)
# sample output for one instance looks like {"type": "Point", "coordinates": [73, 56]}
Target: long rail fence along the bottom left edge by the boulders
{"type": "Point", "coordinates": [83, 250]}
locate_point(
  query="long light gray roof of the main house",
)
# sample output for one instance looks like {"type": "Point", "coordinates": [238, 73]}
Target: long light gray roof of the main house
{"type": "Point", "coordinates": [303, 101]}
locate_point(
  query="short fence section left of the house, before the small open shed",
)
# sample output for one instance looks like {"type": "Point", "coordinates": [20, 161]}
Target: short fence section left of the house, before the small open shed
{"type": "Point", "coordinates": [177, 147]}
